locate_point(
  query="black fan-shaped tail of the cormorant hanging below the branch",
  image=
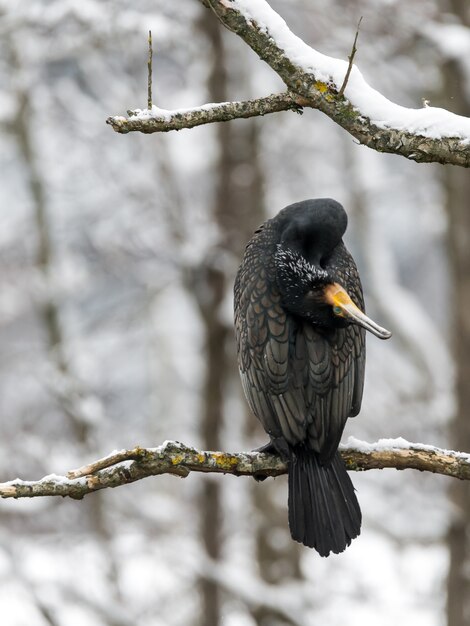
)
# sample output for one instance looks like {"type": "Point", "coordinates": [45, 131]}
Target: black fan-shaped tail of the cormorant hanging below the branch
{"type": "Point", "coordinates": [323, 509]}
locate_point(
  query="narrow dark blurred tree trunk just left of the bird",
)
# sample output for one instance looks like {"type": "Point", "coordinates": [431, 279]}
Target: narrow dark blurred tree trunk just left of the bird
{"type": "Point", "coordinates": [209, 288]}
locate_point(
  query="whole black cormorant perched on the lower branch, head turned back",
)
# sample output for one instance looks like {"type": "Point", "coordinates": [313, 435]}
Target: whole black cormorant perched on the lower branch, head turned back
{"type": "Point", "coordinates": [300, 328]}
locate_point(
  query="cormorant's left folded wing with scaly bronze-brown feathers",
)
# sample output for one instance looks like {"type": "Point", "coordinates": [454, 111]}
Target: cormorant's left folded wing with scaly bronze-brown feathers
{"type": "Point", "coordinates": [274, 387]}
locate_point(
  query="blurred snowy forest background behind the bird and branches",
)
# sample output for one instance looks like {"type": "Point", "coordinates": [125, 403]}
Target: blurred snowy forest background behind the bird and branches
{"type": "Point", "coordinates": [117, 257]}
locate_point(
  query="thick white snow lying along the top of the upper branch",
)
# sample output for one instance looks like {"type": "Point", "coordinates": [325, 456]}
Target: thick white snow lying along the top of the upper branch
{"type": "Point", "coordinates": [428, 121]}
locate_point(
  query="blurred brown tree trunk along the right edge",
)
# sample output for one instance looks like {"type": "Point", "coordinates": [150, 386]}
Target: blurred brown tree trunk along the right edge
{"type": "Point", "coordinates": [457, 183]}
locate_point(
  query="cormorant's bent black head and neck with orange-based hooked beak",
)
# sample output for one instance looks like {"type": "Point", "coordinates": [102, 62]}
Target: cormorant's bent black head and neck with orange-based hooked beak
{"type": "Point", "coordinates": [306, 271]}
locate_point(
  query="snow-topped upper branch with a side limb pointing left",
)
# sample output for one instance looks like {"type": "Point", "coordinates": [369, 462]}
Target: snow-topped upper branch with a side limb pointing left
{"type": "Point", "coordinates": [428, 134]}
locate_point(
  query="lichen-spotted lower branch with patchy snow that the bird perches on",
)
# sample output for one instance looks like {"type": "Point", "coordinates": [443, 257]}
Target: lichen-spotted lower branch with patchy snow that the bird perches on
{"type": "Point", "coordinates": [127, 466]}
